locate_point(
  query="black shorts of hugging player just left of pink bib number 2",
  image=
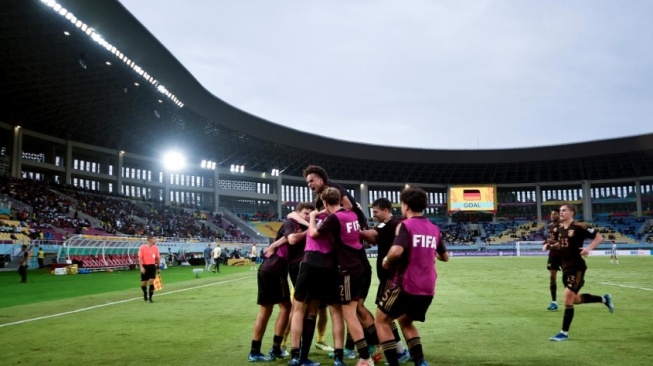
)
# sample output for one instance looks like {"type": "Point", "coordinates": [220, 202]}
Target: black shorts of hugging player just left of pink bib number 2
{"type": "Point", "coordinates": [315, 283]}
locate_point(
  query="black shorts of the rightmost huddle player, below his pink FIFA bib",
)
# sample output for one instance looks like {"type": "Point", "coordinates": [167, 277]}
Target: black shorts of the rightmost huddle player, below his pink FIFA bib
{"type": "Point", "coordinates": [395, 303]}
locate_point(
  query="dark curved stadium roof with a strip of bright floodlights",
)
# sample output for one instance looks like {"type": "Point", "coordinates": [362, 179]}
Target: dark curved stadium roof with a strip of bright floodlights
{"type": "Point", "coordinates": [69, 86]}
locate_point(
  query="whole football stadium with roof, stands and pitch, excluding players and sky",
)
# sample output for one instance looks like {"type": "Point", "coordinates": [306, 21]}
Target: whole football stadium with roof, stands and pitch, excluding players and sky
{"type": "Point", "coordinates": [106, 139]}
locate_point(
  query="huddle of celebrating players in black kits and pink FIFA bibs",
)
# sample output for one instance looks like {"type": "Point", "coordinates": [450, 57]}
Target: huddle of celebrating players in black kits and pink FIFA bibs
{"type": "Point", "coordinates": [320, 247]}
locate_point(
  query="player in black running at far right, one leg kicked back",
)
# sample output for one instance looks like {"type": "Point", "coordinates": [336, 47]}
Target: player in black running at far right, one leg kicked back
{"type": "Point", "coordinates": [571, 235]}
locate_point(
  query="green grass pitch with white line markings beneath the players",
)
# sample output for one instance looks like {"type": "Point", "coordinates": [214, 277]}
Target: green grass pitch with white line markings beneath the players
{"type": "Point", "coordinates": [487, 311]}
